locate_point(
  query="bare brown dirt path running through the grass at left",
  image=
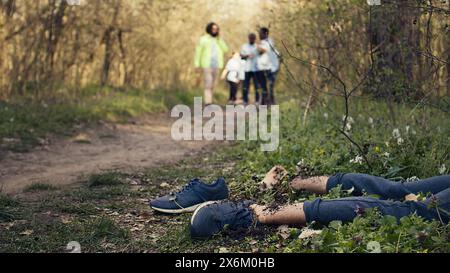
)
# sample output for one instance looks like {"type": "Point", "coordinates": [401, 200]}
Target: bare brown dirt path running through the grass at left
{"type": "Point", "coordinates": [144, 143]}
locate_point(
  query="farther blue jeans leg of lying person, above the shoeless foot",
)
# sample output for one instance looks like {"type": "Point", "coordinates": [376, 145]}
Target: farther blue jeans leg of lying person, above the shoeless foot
{"type": "Point", "coordinates": [387, 189]}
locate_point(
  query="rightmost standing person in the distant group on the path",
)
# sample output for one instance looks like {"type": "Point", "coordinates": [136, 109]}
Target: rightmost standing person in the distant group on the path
{"type": "Point", "coordinates": [268, 66]}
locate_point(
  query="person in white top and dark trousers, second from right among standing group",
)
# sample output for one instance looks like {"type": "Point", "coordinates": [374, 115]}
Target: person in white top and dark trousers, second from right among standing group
{"type": "Point", "coordinates": [249, 53]}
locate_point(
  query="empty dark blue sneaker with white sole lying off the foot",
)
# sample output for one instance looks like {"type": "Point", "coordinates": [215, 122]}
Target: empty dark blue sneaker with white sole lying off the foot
{"type": "Point", "coordinates": [191, 197]}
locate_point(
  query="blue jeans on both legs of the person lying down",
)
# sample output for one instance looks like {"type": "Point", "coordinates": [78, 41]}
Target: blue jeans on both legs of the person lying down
{"type": "Point", "coordinates": [391, 193]}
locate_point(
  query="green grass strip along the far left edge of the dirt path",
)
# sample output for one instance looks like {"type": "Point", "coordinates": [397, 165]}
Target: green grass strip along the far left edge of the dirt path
{"type": "Point", "coordinates": [26, 121]}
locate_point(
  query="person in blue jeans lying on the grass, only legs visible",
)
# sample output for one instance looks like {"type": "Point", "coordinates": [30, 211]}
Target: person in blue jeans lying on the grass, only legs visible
{"type": "Point", "coordinates": [211, 216]}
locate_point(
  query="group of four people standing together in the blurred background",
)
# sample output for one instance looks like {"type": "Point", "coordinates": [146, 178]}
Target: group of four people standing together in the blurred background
{"type": "Point", "coordinates": [257, 62]}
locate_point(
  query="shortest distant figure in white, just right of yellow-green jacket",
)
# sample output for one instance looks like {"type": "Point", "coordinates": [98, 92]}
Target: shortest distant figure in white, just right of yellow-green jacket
{"type": "Point", "coordinates": [234, 73]}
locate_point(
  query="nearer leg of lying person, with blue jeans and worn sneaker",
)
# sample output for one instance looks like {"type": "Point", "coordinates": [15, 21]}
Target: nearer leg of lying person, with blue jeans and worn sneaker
{"type": "Point", "coordinates": [212, 218]}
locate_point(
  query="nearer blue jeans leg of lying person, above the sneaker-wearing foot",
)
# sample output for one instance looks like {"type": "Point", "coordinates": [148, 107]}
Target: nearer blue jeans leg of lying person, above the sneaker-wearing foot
{"type": "Point", "coordinates": [347, 209]}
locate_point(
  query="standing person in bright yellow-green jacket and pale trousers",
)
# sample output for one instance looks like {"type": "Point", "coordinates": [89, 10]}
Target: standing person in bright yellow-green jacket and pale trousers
{"type": "Point", "coordinates": [209, 56]}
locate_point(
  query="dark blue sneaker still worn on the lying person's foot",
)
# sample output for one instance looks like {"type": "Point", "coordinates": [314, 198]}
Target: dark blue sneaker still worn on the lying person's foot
{"type": "Point", "coordinates": [211, 218]}
